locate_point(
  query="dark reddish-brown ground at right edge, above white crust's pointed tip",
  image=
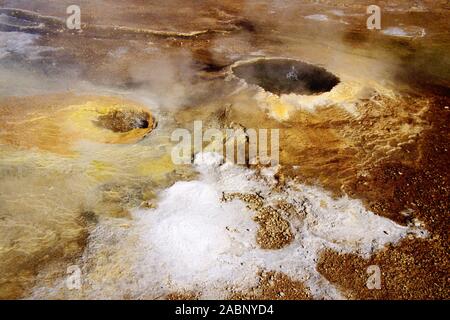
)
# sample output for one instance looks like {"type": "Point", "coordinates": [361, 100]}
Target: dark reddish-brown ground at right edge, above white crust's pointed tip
{"type": "Point", "coordinates": [422, 186]}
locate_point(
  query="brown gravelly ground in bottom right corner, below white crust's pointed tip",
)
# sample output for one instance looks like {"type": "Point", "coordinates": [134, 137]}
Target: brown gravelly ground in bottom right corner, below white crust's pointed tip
{"type": "Point", "coordinates": [414, 269]}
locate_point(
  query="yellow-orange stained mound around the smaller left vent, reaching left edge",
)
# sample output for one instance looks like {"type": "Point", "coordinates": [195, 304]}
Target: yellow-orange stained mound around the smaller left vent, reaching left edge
{"type": "Point", "coordinates": [56, 122]}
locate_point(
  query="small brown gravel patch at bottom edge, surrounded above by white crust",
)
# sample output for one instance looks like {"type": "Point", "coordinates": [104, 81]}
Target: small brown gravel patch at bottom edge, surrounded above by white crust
{"type": "Point", "coordinates": [274, 286]}
